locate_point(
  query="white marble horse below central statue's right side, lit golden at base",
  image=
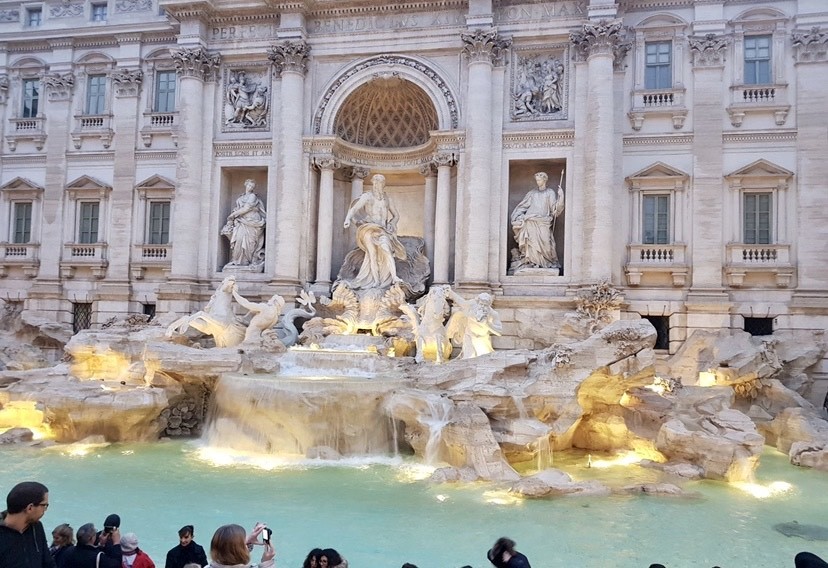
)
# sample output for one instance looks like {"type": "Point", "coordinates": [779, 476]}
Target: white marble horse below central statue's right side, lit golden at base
{"type": "Point", "coordinates": [430, 335]}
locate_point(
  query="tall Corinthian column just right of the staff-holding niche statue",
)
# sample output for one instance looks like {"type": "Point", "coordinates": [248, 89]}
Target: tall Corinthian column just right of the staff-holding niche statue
{"type": "Point", "coordinates": [599, 43]}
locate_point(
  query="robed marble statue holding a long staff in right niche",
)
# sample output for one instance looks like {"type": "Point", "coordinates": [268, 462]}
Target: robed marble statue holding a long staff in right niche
{"type": "Point", "coordinates": [533, 223]}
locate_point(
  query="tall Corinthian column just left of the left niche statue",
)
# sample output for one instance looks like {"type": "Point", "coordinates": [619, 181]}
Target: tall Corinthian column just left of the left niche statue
{"type": "Point", "coordinates": [194, 66]}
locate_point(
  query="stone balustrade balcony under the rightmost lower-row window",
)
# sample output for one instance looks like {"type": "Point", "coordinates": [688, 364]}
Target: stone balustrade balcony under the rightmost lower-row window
{"type": "Point", "coordinates": [769, 261]}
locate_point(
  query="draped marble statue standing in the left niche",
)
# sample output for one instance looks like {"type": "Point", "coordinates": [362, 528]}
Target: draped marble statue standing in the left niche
{"type": "Point", "coordinates": [245, 230]}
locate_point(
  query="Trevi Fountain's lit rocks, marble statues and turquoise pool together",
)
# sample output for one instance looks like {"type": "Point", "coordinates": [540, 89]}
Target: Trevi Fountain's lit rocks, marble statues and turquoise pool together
{"type": "Point", "coordinates": [377, 418]}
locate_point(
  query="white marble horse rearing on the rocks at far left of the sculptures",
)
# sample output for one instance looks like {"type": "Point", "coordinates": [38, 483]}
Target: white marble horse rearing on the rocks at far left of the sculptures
{"type": "Point", "coordinates": [216, 319]}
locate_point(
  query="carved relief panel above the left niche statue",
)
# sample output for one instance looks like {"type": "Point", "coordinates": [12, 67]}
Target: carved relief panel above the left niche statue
{"type": "Point", "coordinates": [246, 93]}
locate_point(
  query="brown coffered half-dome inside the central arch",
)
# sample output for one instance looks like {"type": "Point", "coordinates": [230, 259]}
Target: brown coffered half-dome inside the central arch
{"type": "Point", "coordinates": [387, 112]}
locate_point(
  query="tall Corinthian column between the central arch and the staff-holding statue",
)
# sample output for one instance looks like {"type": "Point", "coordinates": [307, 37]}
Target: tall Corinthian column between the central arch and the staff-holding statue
{"type": "Point", "coordinates": [482, 48]}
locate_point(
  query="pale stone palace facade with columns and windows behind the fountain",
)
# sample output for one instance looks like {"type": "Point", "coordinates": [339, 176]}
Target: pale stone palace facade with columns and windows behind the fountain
{"type": "Point", "coordinates": [689, 136]}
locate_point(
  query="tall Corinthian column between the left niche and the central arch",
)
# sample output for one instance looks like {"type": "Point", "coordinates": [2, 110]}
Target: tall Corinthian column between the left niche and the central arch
{"type": "Point", "coordinates": [290, 60]}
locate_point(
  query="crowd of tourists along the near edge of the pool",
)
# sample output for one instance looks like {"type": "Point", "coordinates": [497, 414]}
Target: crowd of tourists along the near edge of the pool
{"type": "Point", "coordinates": [23, 544]}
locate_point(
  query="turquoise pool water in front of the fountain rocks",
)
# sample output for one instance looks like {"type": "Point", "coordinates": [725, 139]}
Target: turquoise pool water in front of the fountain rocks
{"type": "Point", "coordinates": [377, 516]}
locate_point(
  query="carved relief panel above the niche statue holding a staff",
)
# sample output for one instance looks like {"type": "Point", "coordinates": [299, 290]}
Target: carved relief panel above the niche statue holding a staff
{"type": "Point", "coordinates": [540, 80]}
